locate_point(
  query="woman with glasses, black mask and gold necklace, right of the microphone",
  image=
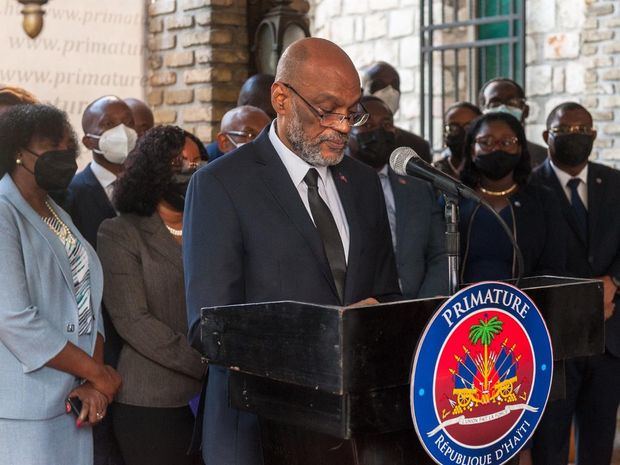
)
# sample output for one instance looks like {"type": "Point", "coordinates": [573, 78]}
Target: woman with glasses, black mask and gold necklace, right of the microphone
{"type": "Point", "coordinates": [497, 166]}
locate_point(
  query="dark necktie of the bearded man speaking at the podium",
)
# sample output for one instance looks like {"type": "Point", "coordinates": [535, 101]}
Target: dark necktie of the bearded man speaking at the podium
{"type": "Point", "coordinates": [324, 221]}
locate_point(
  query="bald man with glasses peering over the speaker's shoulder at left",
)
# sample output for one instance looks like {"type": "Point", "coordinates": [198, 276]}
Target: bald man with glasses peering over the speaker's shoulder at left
{"type": "Point", "coordinates": [240, 126]}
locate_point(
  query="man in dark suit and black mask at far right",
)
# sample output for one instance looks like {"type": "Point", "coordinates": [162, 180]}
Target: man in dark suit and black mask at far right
{"type": "Point", "coordinates": [590, 195]}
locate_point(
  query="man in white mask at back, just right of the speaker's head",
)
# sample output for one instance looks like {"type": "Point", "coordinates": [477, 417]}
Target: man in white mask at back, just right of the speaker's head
{"type": "Point", "coordinates": [383, 81]}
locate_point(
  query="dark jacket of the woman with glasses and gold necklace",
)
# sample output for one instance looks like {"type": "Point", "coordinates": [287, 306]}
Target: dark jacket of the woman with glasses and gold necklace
{"type": "Point", "coordinates": [540, 230]}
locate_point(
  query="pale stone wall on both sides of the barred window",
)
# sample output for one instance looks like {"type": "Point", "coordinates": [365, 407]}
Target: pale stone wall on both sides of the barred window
{"type": "Point", "coordinates": [572, 47]}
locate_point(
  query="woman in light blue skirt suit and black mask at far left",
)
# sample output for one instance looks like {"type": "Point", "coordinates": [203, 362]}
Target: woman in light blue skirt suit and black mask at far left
{"type": "Point", "coordinates": [51, 334]}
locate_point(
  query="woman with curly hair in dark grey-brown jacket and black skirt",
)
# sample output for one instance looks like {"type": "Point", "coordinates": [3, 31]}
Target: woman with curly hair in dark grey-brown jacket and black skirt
{"type": "Point", "coordinates": [140, 251]}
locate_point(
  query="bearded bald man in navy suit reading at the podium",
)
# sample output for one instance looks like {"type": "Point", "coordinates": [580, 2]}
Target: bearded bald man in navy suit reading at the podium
{"type": "Point", "coordinates": [286, 217]}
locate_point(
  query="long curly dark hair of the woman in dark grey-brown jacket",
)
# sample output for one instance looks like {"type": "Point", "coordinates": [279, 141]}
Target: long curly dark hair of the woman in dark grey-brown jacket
{"type": "Point", "coordinates": [148, 171]}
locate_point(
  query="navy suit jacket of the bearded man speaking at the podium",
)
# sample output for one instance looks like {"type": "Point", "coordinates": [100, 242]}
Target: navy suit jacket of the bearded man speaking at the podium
{"type": "Point", "coordinates": [249, 238]}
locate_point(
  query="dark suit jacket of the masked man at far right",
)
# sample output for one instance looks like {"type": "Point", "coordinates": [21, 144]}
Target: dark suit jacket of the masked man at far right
{"type": "Point", "coordinates": [600, 254]}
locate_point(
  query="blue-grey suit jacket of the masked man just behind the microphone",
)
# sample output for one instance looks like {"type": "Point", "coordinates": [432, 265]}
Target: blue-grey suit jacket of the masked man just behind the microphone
{"type": "Point", "coordinates": [420, 245]}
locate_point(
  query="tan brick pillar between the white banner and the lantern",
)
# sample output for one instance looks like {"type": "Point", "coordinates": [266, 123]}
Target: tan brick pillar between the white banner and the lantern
{"type": "Point", "coordinates": [198, 60]}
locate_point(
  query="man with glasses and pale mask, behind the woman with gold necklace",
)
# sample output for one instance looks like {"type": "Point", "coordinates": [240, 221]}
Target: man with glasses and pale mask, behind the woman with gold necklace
{"type": "Point", "coordinates": [504, 94]}
